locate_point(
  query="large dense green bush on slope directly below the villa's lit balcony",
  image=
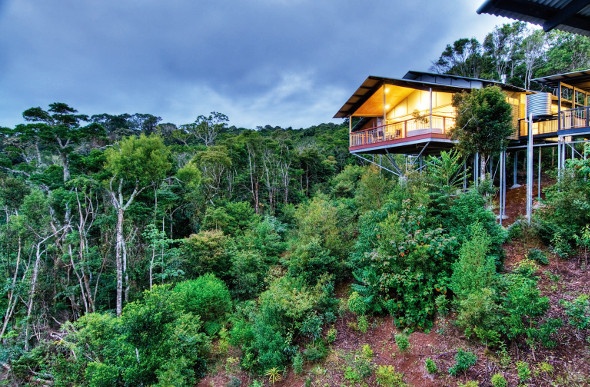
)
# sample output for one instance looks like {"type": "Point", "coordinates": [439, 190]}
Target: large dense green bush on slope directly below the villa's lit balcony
{"type": "Point", "coordinates": [402, 262]}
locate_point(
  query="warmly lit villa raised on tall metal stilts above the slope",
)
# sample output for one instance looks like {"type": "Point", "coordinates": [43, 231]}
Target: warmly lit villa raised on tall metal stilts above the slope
{"type": "Point", "coordinates": [413, 116]}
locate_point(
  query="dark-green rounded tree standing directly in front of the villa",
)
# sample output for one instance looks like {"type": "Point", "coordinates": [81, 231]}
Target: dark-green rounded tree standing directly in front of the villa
{"type": "Point", "coordinates": [484, 122]}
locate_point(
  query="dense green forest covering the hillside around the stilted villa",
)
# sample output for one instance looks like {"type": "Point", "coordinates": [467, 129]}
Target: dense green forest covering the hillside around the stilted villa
{"type": "Point", "coordinates": [135, 252]}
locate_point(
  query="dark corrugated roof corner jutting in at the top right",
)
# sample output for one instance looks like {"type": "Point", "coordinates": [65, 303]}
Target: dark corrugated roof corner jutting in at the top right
{"type": "Point", "coordinates": [567, 15]}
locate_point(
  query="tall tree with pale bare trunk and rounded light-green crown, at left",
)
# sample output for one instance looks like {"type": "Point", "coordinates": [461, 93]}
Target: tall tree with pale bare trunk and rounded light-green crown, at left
{"type": "Point", "coordinates": [134, 164]}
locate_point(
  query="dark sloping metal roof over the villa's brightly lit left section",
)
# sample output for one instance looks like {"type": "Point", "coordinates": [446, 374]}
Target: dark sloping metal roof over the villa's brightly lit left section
{"type": "Point", "coordinates": [415, 80]}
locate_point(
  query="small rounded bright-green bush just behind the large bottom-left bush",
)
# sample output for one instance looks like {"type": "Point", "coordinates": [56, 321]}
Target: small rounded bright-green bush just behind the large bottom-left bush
{"type": "Point", "coordinates": [207, 297]}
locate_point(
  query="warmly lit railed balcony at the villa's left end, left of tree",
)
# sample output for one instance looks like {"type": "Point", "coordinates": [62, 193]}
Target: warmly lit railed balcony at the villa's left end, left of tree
{"type": "Point", "coordinates": [401, 132]}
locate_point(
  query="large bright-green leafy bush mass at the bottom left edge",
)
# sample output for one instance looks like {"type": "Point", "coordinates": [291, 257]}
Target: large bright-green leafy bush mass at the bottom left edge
{"type": "Point", "coordinates": [154, 342]}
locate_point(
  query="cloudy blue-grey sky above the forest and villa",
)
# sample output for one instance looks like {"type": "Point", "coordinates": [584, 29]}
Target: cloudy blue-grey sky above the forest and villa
{"type": "Point", "coordinates": [291, 63]}
